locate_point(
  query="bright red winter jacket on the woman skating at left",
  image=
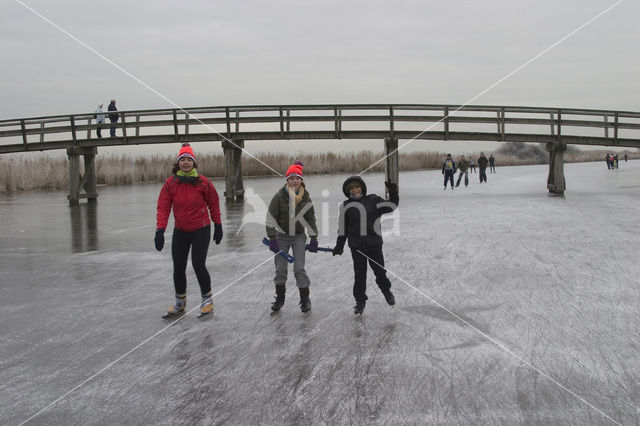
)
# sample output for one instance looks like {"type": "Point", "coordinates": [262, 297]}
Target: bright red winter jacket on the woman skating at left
{"type": "Point", "coordinates": [191, 204]}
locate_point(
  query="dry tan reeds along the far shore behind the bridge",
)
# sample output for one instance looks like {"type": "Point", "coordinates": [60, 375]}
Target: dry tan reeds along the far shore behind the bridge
{"type": "Point", "coordinates": [41, 172]}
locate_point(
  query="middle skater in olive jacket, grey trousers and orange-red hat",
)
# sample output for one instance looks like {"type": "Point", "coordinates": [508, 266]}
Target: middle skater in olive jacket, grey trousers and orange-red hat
{"type": "Point", "coordinates": [290, 212]}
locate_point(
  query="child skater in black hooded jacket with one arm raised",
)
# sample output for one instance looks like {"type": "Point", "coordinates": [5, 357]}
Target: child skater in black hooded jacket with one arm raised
{"type": "Point", "coordinates": [359, 224]}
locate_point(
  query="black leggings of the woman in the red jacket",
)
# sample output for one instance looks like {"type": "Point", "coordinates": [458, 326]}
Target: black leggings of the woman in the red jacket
{"type": "Point", "coordinates": [198, 241]}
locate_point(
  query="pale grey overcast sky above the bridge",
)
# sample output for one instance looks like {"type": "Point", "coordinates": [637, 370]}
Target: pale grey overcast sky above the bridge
{"type": "Point", "coordinates": [207, 53]}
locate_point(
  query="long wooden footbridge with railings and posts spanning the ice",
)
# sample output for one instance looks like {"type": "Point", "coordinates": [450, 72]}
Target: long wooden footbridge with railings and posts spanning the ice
{"type": "Point", "coordinates": [232, 125]}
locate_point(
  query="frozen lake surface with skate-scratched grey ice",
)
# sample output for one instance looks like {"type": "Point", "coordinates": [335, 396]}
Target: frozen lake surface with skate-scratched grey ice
{"type": "Point", "coordinates": [513, 307]}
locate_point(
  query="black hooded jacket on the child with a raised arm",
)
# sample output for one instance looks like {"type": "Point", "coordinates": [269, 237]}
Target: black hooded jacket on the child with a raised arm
{"type": "Point", "coordinates": [359, 219]}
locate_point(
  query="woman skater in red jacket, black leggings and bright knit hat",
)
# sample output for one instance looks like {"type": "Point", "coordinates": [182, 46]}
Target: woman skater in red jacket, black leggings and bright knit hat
{"type": "Point", "coordinates": [194, 200]}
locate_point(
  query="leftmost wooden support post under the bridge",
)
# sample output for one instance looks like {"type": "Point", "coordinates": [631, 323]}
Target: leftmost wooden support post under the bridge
{"type": "Point", "coordinates": [77, 180]}
